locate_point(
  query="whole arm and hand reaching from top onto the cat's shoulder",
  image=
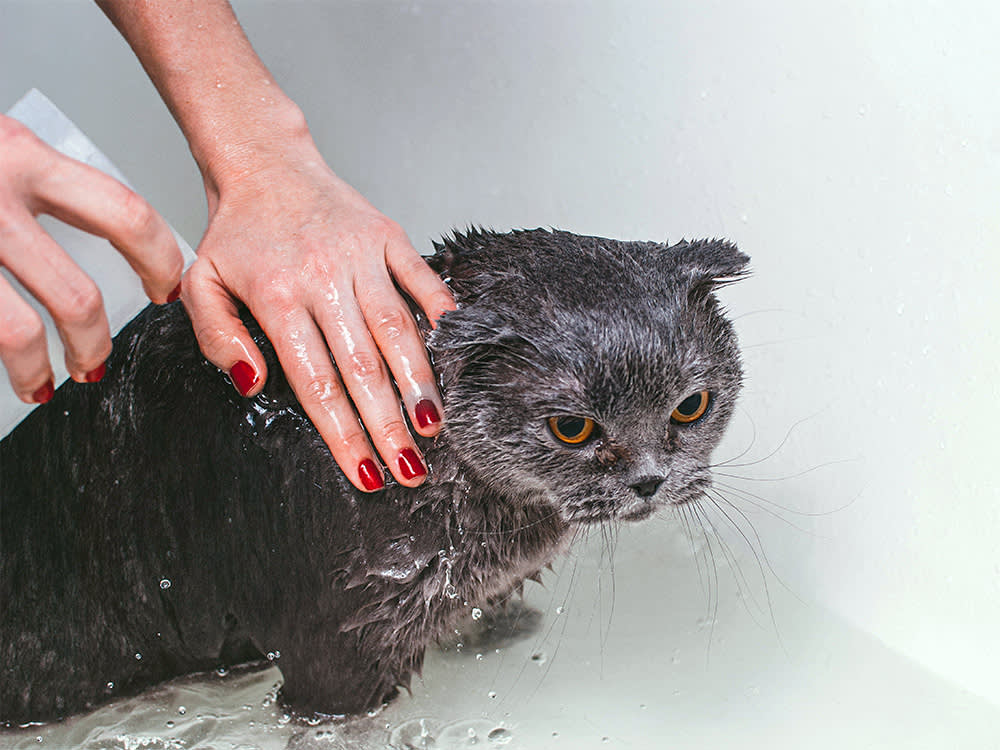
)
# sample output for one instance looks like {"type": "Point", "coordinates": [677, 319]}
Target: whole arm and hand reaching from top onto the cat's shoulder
{"type": "Point", "coordinates": [321, 269]}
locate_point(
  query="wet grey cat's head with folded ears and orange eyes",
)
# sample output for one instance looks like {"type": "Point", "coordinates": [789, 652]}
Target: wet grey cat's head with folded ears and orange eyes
{"type": "Point", "coordinates": [592, 374]}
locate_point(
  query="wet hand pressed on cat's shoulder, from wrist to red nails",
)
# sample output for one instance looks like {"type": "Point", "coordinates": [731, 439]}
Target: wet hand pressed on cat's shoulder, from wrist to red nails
{"type": "Point", "coordinates": [318, 267]}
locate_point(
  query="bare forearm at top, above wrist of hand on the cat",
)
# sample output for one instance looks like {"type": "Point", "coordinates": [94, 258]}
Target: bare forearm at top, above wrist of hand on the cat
{"type": "Point", "coordinates": [221, 94]}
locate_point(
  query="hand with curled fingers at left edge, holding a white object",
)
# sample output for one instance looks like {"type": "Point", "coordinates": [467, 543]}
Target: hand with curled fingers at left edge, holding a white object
{"type": "Point", "coordinates": [36, 179]}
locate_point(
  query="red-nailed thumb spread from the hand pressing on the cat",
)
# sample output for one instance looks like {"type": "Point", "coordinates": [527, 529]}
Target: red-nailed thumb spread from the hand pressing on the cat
{"type": "Point", "coordinates": [222, 337]}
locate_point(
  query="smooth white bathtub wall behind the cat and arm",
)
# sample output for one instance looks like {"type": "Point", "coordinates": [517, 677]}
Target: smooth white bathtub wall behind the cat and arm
{"type": "Point", "coordinates": [851, 148]}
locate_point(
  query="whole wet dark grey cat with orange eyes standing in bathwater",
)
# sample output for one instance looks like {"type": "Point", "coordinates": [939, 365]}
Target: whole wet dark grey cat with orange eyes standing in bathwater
{"type": "Point", "coordinates": [156, 523]}
